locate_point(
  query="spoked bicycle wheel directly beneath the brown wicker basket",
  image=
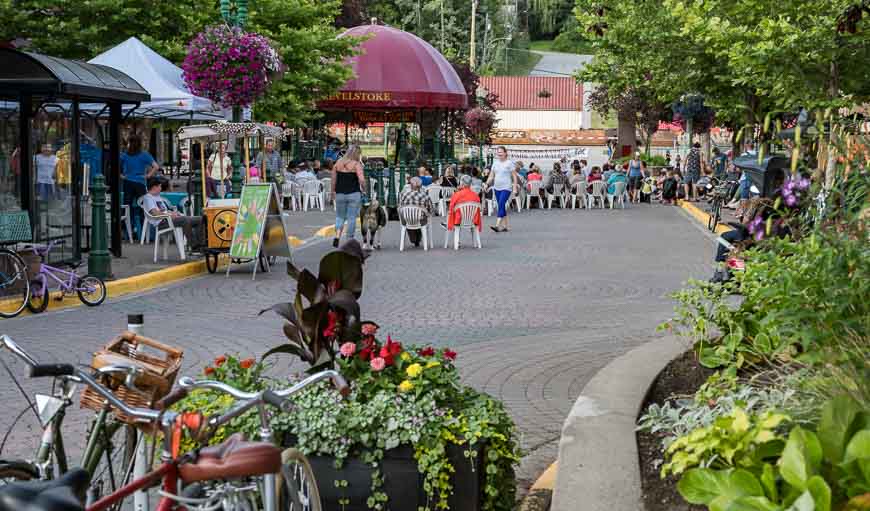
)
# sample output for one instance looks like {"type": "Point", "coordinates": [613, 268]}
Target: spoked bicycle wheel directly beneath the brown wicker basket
{"type": "Point", "coordinates": [110, 464]}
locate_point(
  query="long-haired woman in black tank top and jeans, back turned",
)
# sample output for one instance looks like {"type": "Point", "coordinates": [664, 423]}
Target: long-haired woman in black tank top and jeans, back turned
{"type": "Point", "coordinates": [347, 181]}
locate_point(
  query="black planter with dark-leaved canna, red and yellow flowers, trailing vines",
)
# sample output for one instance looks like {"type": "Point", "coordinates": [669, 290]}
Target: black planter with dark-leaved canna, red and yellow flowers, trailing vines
{"type": "Point", "coordinates": [410, 435]}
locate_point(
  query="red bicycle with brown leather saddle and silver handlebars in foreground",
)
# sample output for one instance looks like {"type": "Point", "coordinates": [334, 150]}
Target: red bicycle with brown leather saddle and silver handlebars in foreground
{"type": "Point", "coordinates": [231, 475]}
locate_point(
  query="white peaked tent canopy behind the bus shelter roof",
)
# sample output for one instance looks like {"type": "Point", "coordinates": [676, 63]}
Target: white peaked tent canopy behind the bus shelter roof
{"type": "Point", "coordinates": [170, 97]}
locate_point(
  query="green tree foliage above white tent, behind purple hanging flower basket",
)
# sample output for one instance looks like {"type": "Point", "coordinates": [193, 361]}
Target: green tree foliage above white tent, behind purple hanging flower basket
{"type": "Point", "coordinates": [302, 30]}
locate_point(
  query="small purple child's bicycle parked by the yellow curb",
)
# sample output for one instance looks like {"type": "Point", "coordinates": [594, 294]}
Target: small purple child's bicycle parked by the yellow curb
{"type": "Point", "coordinates": [91, 289]}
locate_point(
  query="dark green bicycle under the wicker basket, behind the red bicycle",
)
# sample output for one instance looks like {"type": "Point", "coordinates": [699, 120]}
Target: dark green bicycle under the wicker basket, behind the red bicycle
{"type": "Point", "coordinates": [110, 445]}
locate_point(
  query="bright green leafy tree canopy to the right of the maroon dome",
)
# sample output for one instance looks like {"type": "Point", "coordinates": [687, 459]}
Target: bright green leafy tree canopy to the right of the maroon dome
{"type": "Point", "coordinates": [746, 58]}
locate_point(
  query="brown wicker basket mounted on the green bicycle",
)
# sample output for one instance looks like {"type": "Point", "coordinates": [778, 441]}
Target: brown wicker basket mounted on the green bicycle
{"type": "Point", "coordinates": [159, 363]}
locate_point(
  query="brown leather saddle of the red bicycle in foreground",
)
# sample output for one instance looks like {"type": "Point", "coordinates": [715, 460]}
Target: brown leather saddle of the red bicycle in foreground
{"type": "Point", "coordinates": [231, 459]}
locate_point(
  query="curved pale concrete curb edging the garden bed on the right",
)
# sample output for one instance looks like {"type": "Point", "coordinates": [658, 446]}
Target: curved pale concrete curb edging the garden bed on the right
{"type": "Point", "coordinates": [598, 460]}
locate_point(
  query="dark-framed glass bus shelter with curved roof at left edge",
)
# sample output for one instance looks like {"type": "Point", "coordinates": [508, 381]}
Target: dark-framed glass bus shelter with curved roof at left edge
{"type": "Point", "coordinates": [47, 160]}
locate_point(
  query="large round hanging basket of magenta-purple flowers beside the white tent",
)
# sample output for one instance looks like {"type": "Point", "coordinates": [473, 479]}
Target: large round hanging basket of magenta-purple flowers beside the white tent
{"type": "Point", "coordinates": [229, 66]}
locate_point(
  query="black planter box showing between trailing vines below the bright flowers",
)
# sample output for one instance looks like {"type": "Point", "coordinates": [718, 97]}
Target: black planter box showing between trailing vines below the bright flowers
{"type": "Point", "coordinates": [403, 484]}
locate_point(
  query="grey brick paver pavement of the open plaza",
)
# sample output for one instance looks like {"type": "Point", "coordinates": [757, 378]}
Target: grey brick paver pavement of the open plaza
{"type": "Point", "coordinates": [534, 314]}
